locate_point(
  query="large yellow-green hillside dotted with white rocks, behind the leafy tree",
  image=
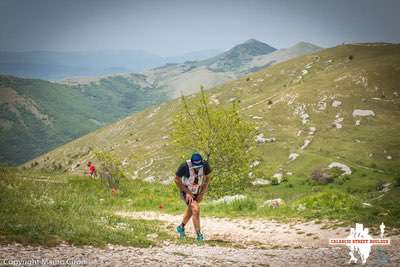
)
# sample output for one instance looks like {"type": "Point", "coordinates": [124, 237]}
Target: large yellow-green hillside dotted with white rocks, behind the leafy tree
{"type": "Point", "coordinates": [312, 106]}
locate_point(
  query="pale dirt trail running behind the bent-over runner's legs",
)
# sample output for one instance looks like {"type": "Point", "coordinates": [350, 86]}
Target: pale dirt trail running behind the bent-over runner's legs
{"type": "Point", "coordinates": [251, 231]}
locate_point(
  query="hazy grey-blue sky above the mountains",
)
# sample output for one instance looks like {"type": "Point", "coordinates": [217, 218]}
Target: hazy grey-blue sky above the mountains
{"type": "Point", "coordinates": [178, 26]}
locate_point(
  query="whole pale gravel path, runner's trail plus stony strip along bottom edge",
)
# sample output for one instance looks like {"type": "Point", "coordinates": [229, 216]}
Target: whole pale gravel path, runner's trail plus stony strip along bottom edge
{"type": "Point", "coordinates": [262, 242]}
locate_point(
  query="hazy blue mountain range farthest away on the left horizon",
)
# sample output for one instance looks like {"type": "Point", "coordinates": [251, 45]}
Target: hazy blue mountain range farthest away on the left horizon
{"type": "Point", "coordinates": [50, 65]}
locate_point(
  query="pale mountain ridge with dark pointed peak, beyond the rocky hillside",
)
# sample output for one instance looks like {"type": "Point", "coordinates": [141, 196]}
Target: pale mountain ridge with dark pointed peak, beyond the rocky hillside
{"type": "Point", "coordinates": [240, 60]}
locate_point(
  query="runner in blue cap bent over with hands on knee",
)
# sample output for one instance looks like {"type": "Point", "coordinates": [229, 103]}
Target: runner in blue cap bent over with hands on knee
{"type": "Point", "coordinates": [192, 179]}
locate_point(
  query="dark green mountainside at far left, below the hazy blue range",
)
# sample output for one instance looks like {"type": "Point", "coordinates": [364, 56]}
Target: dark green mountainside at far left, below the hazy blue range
{"type": "Point", "coordinates": [37, 115]}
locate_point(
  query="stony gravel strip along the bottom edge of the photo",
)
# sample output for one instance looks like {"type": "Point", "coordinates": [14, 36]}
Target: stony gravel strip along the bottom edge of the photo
{"type": "Point", "coordinates": [189, 255]}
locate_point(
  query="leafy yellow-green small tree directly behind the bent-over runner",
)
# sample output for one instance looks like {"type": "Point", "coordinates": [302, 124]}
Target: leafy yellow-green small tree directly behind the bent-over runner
{"type": "Point", "coordinates": [221, 135]}
